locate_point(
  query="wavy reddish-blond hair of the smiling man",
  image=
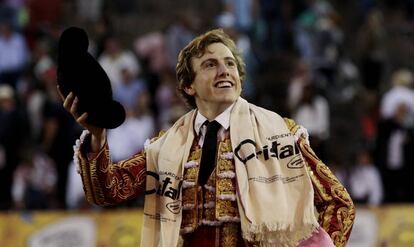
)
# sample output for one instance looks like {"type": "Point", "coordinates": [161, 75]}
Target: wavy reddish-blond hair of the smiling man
{"type": "Point", "coordinates": [196, 48]}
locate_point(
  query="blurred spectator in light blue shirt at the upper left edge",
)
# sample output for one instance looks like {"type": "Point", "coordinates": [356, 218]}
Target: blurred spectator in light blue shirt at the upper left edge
{"type": "Point", "coordinates": [14, 54]}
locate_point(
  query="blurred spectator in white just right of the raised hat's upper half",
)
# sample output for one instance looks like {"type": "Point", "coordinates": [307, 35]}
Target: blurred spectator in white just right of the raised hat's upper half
{"type": "Point", "coordinates": [114, 59]}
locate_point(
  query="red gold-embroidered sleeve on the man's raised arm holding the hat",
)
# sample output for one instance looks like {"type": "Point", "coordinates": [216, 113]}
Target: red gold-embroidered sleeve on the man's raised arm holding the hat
{"type": "Point", "coordinates": [107, 183]}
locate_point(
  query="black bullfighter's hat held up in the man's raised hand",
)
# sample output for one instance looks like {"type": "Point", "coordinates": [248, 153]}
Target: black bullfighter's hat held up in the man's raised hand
{"type": "Point", "coordinates": [80, 73]}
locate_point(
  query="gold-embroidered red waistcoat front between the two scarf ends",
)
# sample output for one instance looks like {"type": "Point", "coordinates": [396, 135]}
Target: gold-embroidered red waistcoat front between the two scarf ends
{"type": "Point", "coordinates": [213, 207]}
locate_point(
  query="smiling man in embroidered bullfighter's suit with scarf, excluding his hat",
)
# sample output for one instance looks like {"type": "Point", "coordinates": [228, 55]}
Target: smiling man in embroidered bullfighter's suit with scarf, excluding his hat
{"type": "Point", "coordinates": [228, 173]}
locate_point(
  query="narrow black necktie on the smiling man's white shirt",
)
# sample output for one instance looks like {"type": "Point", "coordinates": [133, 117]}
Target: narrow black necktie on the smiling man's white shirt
{"type": "Point", "coordinates": [208, 153]}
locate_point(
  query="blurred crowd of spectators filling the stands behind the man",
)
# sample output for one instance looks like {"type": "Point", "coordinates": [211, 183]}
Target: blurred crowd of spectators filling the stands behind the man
{"type": "Point", "coordinates": [342, 69]}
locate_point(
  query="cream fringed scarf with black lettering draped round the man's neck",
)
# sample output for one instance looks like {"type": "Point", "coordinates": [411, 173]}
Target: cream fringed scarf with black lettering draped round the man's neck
{"type": "Point", "coordinates": [275, 195]}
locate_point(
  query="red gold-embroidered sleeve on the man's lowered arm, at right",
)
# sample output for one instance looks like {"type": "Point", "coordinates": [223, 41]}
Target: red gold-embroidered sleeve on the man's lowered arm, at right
{"type": "Point", "coordinates": [333, 203]}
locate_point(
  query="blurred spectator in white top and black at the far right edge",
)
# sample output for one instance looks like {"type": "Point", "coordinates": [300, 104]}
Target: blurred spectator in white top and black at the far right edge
{"type": "Point", "coordinates": [395, 142]}
